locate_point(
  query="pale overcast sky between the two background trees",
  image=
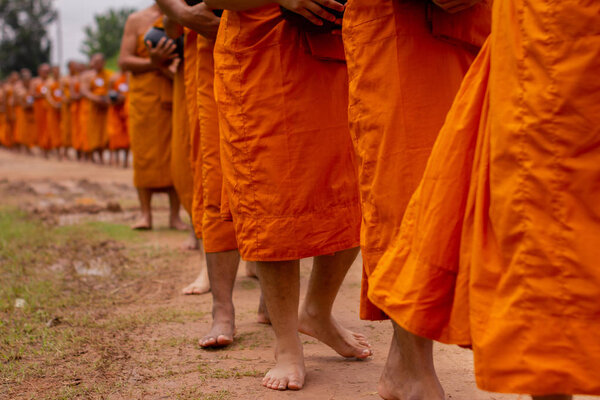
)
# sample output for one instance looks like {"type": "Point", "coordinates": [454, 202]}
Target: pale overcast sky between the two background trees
{"type": "Point", "coordinates": [75, 15]}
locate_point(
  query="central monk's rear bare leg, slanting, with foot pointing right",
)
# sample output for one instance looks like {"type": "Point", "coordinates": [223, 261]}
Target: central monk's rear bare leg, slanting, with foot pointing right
{"type": "Point", "coordinates": [316, 319]}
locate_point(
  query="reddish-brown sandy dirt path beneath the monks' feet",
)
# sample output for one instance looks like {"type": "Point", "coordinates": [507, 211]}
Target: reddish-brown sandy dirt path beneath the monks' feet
{"type": "Point", "coordinates": [163, 361]}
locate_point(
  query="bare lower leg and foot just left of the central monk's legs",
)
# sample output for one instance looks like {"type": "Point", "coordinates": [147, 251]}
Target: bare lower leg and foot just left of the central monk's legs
{"type": "Point", "coordinates": [222, 270]}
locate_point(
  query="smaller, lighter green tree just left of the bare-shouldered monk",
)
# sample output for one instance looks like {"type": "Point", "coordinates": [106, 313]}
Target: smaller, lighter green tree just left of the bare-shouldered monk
{"type": "Point", "coordinates": [104, 36]}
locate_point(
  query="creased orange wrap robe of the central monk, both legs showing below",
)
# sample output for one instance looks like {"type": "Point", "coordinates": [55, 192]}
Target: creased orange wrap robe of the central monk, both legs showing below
{"type": "Point", "coordinates": [286, 151]}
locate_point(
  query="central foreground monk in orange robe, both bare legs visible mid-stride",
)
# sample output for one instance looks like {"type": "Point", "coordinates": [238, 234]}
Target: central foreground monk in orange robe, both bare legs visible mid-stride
{"type": "Point", "coordinates": [289, 172]}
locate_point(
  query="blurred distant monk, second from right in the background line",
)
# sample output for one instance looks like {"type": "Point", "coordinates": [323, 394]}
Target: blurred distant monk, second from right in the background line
{"type": "Point", "coordinates": [94, 89]}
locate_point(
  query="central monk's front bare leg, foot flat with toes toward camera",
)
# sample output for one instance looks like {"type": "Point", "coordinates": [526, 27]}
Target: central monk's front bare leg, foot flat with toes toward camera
{"type": "Point", "coordinates": [280, 282]}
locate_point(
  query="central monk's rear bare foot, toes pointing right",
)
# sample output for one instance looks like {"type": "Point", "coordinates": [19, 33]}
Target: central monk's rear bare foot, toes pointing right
{"type": "Point", "coordinates": [345, 342]}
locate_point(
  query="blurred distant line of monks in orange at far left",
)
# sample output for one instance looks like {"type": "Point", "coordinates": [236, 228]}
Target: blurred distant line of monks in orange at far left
{"type": "Point", "coordinates": [87, 110]}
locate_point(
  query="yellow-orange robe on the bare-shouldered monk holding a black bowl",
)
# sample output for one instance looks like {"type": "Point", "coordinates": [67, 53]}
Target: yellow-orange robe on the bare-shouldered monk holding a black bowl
{"type": "Point", "coordinates": [150, 105]}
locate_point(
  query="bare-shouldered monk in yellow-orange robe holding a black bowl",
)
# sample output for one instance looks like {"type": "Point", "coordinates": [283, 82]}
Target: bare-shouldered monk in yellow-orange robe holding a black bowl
{"type": "Point", "coordinates": [150, 105]}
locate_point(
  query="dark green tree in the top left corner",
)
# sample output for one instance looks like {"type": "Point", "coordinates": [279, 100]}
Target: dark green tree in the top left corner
{"type": "Point", "coordinates": [24, 41]}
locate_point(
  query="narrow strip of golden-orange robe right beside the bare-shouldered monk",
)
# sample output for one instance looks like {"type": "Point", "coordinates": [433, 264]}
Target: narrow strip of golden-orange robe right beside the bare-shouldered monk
{"type": "Point", "coordinates": [181, 165]}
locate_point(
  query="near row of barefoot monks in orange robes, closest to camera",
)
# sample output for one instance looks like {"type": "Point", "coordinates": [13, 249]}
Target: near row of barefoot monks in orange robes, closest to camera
{"type": "Point", "coordinates": [455, 142]}
